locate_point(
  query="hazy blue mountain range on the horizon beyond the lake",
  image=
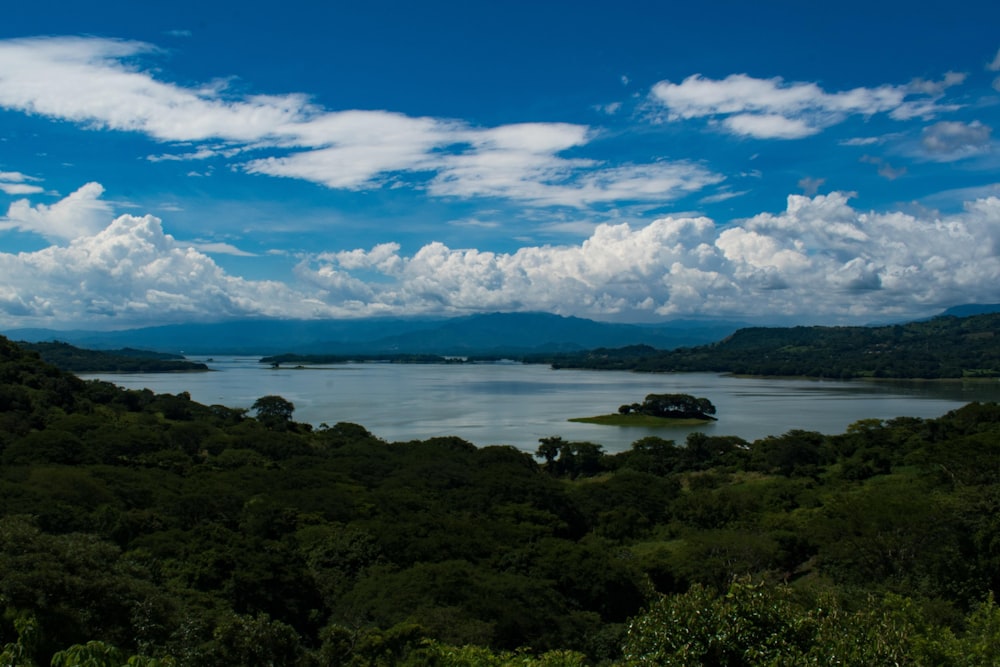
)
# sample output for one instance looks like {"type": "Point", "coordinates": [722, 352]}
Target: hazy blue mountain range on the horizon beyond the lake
{"type": "Point", "coordinates": [485, 334]}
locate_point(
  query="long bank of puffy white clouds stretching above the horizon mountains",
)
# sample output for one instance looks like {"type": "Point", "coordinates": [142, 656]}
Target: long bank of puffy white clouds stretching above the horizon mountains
{"type": "Point", "coordinates": [819, 260]}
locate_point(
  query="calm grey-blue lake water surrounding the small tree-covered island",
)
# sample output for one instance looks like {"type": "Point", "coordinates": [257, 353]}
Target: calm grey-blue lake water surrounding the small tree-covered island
{"type": "Point", "coordinates": [518, 404]}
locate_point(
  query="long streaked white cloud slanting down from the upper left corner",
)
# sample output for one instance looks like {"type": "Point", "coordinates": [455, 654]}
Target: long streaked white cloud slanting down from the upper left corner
{"type": "Point", "coordinates": [96, 82]}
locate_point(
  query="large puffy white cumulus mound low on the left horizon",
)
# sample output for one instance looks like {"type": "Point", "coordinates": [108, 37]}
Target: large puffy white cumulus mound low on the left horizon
{"type": "Point", "coordinates": [131, 272]}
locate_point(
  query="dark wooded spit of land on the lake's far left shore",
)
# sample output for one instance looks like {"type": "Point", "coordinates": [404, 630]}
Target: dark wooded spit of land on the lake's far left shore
{"type": "Point", "coordinates": [126, 360]}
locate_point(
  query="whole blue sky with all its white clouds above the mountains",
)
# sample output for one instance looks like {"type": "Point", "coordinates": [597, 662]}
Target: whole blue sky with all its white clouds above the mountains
{"type": "Point", "coordinates": [632, 161]}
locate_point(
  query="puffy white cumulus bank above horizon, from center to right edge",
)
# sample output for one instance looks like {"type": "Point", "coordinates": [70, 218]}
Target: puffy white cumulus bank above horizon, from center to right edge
{"type": "Point", "coordinates": [820, 259]}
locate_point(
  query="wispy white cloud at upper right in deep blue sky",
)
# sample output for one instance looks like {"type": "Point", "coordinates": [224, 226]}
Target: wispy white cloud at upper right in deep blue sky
{"type": "Point", "coordinates": [775, 109]}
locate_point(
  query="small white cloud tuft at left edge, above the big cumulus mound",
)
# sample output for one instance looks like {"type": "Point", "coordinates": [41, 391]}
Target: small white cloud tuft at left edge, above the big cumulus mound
{"type": "Point", "coordinates": [82, 213]}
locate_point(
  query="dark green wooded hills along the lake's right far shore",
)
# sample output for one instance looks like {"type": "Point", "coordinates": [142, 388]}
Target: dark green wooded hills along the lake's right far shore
{"type": "Point", "coordinates": [944, 347]}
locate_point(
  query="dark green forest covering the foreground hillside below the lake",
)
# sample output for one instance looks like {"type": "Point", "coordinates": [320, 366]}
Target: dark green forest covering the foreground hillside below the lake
{"type": "Point", "coordinates": [148, 529]}
